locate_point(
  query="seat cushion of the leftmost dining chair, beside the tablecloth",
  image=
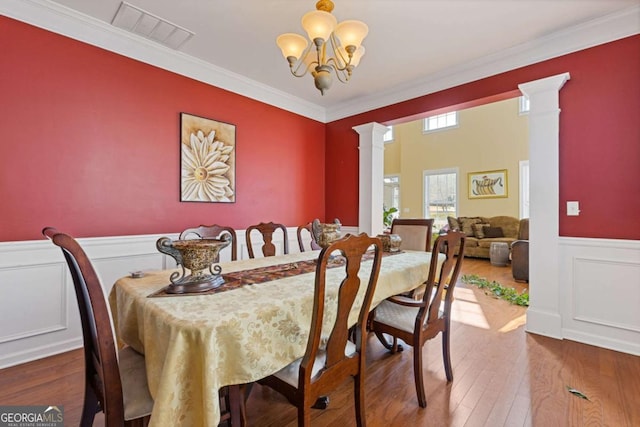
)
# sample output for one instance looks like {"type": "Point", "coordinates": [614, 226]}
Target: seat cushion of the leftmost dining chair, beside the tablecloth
{"type": "Point", "coordinates": [137, 401]}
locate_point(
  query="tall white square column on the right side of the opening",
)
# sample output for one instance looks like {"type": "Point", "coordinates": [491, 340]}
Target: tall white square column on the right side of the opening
{"type": "Point", "coordinates": [544, 316]}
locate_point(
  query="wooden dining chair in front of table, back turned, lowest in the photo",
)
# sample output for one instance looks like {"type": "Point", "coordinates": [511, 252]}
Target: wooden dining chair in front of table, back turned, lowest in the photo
{"type": "Point", "coordinates": [324, 367]}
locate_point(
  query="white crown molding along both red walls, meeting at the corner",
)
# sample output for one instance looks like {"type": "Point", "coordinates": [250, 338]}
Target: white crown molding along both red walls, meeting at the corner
{"type": "Point", "coordinates": [62, 20]}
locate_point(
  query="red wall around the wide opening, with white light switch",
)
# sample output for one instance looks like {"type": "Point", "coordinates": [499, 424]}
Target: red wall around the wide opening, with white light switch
{"type": "Point", "coordinates": [599, 137]}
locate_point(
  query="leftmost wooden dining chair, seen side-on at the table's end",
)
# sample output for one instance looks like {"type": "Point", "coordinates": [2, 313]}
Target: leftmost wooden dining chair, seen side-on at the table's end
{"type": "Point", "coordinates": [114, 384]}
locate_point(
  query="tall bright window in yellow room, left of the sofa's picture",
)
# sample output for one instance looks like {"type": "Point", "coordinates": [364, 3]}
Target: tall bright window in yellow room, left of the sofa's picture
{"type": "Point", "coordinates": [440, 190]}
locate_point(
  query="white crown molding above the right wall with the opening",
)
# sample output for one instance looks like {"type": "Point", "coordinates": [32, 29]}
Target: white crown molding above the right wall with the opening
{"type": "Point", "coordinates": [602, 30]}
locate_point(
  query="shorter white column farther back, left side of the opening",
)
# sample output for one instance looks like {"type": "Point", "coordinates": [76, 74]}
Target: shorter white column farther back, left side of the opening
{"type": "Point", "coordinates": [371, 176]}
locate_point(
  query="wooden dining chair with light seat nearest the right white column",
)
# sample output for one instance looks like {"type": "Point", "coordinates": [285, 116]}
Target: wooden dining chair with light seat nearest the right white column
{"type": "Point", "coordinates": [416, 322]}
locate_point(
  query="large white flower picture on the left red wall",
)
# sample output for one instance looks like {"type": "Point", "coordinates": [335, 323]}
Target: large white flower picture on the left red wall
{"type": "Point", "coordinates": [207, 160]}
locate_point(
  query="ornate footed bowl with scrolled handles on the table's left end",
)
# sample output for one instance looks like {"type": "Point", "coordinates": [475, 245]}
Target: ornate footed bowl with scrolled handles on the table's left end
{"type": "Point", "coordinates": [197, 255]}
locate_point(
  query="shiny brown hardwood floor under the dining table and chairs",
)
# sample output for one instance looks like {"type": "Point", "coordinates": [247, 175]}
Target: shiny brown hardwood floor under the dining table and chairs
{"type": "Point", "coordinates": [502, 377]}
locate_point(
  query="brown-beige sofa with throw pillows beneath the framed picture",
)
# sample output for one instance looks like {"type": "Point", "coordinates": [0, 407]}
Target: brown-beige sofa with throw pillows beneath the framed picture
{"type": "Point", "coordinates": [482, 231]}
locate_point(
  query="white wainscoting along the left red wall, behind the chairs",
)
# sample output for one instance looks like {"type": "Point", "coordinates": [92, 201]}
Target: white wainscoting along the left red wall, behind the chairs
{"type": "Point", "coordinates": [38, 310]}
